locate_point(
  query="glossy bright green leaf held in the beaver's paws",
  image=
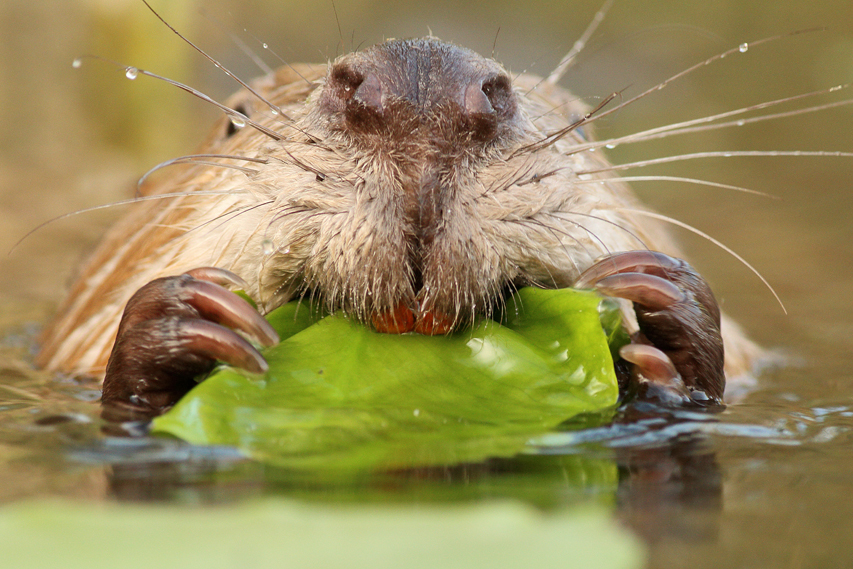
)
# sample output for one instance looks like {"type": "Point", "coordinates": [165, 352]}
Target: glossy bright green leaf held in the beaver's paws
{"type": "Point", "coordinates": [341, 398]}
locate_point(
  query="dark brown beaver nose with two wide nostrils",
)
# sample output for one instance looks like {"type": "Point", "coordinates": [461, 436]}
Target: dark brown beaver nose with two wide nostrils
{"type": "Point", "coordinates": [438, 89]}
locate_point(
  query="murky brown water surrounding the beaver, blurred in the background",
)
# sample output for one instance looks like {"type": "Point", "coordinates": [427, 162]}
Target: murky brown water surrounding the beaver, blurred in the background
{"type": "Point", "coordinates": [766, 483]}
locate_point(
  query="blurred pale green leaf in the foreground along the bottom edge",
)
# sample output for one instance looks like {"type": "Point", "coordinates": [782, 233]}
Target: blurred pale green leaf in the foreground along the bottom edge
{"type": "Point", "coordinates": [277, 533]}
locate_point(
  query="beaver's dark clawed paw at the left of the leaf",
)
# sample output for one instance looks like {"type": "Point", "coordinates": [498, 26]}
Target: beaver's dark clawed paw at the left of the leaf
{"type": "Point", "coordinates": [174, 329]}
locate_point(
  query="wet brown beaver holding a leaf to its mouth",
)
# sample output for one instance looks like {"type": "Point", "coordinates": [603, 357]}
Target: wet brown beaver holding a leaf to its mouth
{"type": "Point", "coordinates": [410, 185]}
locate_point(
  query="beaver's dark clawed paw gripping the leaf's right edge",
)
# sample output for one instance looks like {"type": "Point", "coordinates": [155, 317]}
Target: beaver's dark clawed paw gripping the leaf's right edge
{"type": "Point", "coordinates": [677, 356]}
